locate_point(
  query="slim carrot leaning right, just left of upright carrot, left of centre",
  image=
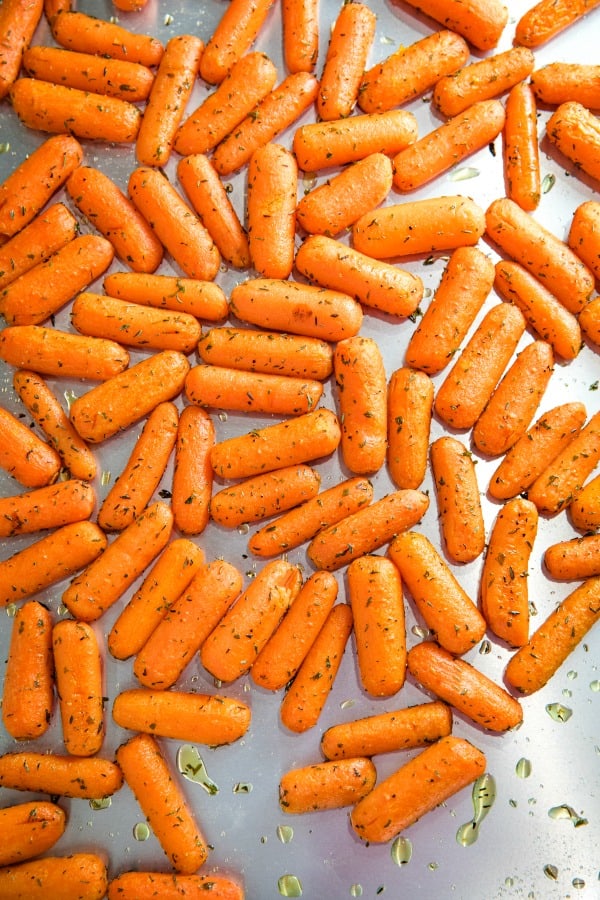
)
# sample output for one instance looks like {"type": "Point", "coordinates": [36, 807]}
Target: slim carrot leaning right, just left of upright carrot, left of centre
{"type": "Point", "coordinates": [135, 485]}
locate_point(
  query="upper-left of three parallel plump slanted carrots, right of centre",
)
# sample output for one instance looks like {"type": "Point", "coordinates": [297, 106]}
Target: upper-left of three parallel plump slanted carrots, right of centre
{"type": "Point", "coordinates": [466, 282]}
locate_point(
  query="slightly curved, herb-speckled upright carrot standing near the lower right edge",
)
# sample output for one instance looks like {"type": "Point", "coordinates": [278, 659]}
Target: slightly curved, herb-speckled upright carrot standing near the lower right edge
{"type": "Point", "coordinates": [503, 590]}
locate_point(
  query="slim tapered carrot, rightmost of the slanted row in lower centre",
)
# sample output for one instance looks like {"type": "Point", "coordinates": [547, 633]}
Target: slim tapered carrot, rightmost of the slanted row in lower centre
{"type": "Point", "coordinates": [305, 700]}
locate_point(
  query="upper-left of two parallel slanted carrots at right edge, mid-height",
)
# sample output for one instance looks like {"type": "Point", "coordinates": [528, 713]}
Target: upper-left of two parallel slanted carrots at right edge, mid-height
{"type": "Point", "coordinates": [536, 449]}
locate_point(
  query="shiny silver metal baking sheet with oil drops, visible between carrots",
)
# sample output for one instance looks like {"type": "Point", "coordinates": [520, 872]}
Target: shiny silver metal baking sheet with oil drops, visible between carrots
{"type": "Point", "coordinates": [528, 845]}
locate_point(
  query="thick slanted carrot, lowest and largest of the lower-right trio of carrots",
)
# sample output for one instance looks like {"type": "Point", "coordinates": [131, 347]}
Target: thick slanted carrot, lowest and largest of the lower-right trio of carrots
{"type": "Point", "coordinates": [434, 775]}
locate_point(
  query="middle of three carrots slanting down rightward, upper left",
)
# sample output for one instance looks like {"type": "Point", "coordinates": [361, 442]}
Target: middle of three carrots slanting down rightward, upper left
{"type": "Point", "coordinates": [174, 223]}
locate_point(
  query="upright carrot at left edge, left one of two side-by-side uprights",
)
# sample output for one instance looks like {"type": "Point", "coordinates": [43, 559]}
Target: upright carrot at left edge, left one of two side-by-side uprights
{"type": "Point", "coordinates": [28, 691]}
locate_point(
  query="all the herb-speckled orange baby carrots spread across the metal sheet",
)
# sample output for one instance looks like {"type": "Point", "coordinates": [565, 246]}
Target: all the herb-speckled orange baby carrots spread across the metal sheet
{"type": "Point", "coordinates": [292, 336]}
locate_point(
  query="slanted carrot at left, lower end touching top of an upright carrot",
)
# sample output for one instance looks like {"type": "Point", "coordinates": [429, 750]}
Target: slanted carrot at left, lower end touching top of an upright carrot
{"type": "Point", "coordinates": [107, 578]}
